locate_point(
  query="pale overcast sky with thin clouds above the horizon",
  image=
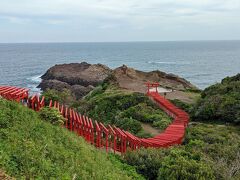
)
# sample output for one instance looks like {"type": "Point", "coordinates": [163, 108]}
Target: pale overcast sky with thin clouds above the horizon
{"type": "Point", "coordinates": [118, 20]}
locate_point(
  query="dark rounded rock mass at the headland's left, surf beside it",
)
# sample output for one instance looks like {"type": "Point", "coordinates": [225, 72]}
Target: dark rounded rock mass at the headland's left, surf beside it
{"type": "Point", "coordinates": [80, 78]}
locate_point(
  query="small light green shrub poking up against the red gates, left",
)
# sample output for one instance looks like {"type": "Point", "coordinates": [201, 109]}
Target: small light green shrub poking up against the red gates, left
{"type": "Point", "coordinates": [51, 115]}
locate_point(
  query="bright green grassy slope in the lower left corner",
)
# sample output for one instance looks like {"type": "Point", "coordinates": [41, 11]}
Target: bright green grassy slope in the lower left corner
{"type": "Point", "coordinates": [31, 148]}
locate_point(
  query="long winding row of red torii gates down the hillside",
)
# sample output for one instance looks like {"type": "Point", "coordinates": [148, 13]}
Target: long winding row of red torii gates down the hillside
{"type": "Point", "coordinates": [109, 137]}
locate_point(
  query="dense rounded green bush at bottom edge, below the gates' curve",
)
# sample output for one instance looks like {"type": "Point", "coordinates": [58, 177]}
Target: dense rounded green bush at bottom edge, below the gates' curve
{"type": "Point", "coordinates": [173, 163]}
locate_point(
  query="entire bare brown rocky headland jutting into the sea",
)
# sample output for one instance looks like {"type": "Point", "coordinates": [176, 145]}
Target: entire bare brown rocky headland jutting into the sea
{"type": "Point", "coordinates": [81, 78]}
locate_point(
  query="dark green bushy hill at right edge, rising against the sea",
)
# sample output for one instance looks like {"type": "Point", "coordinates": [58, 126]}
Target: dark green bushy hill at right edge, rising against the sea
{"type": "Point", "coordinates": [220, 102]}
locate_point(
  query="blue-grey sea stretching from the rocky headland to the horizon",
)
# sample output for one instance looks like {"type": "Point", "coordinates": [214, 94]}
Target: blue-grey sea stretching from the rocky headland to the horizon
{"type": "Point", "coordinates": [201, 62]}
